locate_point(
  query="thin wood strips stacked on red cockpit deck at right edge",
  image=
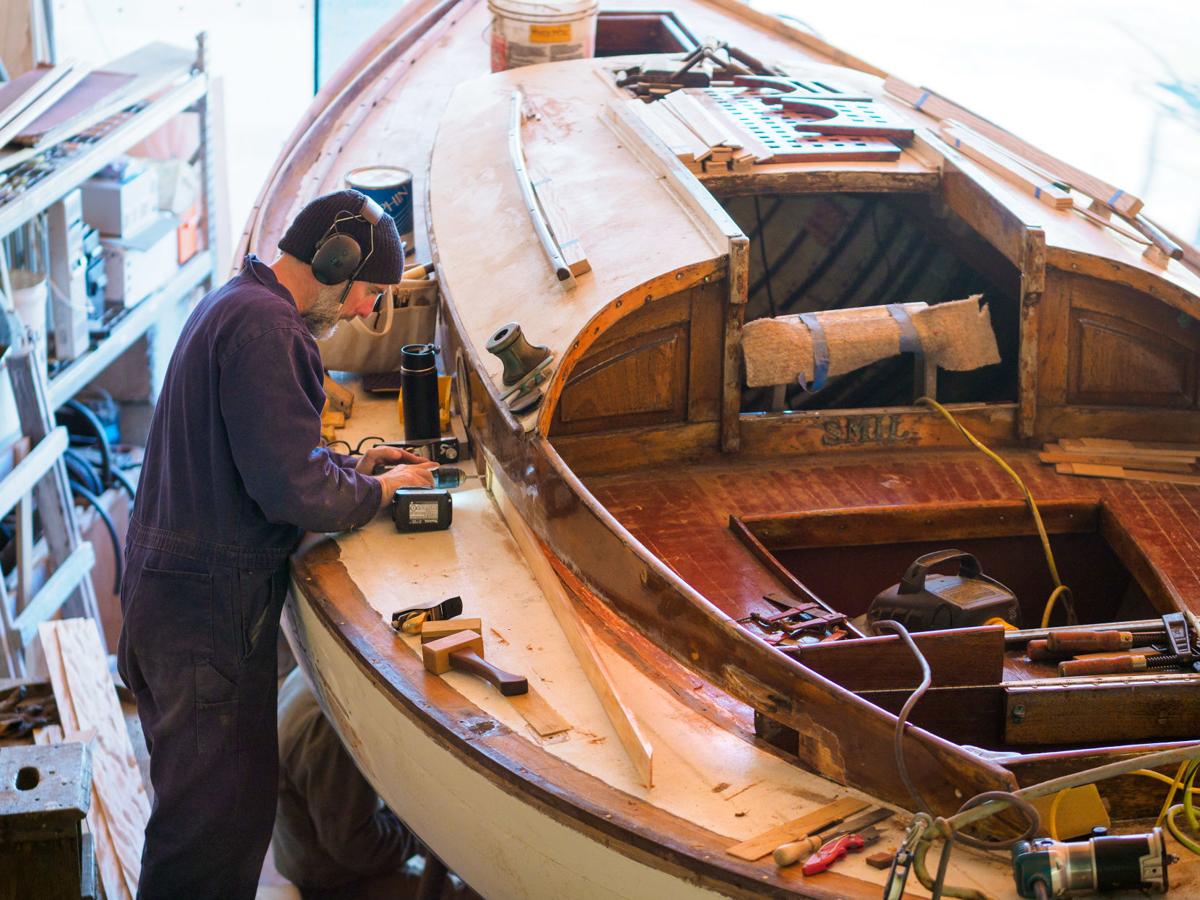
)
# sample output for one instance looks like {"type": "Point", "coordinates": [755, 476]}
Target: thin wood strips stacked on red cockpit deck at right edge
{"type": "Point", "coordinates": [1130, 460]}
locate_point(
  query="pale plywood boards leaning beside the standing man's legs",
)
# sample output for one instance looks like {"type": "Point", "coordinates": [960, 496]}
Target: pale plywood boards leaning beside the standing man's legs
{"type": "Point", "coordinates": [91, 712]}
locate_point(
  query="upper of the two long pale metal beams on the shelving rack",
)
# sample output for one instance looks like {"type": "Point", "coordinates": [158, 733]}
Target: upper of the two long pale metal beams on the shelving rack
{"type": "Point", "coordinates": [83, 166]}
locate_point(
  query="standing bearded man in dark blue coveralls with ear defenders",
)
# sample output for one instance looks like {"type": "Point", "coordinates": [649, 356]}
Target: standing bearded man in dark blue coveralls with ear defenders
{"type": "Point", "coordinates": [235, 473]}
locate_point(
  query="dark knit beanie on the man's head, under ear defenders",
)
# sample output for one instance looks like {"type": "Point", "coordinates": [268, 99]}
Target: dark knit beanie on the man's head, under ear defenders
{"type": "Point", "coordinates": [386, 265]}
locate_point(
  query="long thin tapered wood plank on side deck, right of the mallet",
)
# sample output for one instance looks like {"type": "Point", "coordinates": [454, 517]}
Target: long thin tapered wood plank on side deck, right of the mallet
{"type": "Point", "coordinates": [583, 643]}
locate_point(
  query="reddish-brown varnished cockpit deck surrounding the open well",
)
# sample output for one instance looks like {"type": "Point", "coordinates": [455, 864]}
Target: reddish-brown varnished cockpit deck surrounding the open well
{"type": "Point", "coordinates": [681, 513]}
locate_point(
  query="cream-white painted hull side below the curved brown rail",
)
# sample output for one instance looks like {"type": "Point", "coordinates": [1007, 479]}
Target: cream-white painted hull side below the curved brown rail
{"type": "Point", "coordinates": [503, 845]}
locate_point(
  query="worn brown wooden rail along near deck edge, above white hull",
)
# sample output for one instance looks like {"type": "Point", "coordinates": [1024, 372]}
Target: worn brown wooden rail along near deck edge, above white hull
{"type": "Point", "coordinates": [580, 801]}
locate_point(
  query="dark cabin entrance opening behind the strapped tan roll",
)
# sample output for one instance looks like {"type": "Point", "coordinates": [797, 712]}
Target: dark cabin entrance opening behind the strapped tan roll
{"type": "Point", "coordinates": [821, 253]}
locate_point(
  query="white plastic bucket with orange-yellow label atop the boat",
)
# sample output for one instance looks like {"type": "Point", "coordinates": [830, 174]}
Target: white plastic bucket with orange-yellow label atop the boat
{"type": "Point", "coordinates": [526, 33]}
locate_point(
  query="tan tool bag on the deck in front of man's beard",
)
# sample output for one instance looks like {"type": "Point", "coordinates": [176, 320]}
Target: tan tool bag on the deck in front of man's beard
{"type": "Point", "coordinates": [373, 344]}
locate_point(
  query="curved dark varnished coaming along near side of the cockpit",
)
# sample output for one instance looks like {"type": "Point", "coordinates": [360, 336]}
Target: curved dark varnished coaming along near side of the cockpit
{"type": "Point", "coordinates": [673, 615]}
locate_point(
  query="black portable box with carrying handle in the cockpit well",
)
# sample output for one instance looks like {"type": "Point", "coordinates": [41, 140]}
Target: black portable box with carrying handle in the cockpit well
{"type": "Point", "coordinates": [925, 603]}
